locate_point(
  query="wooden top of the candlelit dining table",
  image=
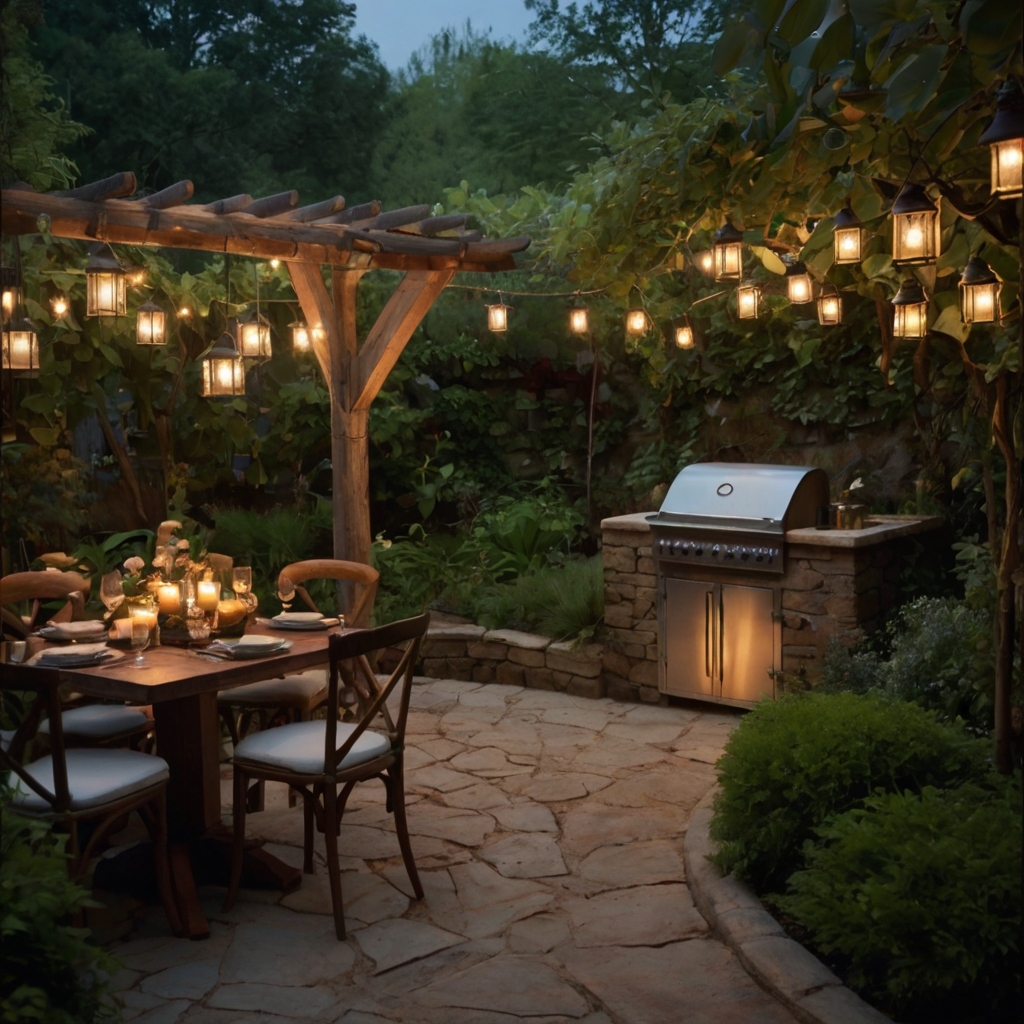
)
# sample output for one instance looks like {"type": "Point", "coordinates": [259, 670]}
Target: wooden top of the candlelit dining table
{"type": "Point", "coordinates": [172, 673]}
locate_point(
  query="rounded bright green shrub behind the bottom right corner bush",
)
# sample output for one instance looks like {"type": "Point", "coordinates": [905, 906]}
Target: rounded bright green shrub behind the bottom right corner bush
{"type": "Point", "coordinates": [793, 764]}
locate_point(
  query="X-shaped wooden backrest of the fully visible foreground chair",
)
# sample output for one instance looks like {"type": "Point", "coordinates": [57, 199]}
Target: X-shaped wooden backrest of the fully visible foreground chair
{"type": "Point", "coordinates": [350, 662]}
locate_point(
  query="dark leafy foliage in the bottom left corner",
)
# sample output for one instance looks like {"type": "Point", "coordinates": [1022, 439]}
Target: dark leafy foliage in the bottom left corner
{"type": "Point", "coordinates": [49, 973]}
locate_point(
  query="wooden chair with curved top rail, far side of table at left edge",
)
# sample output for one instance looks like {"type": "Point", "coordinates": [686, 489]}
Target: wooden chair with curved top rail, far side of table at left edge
{"type": "Point", "coordinates": [84, 724]}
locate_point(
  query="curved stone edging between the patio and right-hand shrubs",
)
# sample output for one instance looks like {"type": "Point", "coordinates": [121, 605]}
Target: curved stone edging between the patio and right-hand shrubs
{"type": "Point", "coordinates": [781, 965]}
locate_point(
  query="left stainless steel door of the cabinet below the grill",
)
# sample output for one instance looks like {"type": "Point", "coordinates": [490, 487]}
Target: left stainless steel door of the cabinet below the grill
{"type": "Point", "coordinates": [689, 642]}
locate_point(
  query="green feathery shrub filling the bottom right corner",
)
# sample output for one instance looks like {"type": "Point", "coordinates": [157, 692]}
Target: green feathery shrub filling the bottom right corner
{"type": "Point", "coordinates": [919, 897]}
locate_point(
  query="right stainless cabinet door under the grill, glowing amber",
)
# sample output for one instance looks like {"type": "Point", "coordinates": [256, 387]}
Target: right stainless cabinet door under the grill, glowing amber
{"type": "Point", "coordinates": [746, 636]}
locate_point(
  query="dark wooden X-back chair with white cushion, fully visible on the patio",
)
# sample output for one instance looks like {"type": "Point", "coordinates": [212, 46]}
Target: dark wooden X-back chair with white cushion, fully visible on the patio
{"type": "Point", "coordinates": [316, 758]}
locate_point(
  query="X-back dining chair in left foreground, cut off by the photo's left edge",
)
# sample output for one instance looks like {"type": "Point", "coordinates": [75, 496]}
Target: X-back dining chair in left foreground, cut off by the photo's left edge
{"type": "Point", "coordinates": [71, 787]}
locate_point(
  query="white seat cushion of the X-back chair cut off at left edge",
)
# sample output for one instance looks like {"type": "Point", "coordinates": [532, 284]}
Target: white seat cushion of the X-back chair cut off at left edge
{"type": "Point", "coordinates": [95, 777]}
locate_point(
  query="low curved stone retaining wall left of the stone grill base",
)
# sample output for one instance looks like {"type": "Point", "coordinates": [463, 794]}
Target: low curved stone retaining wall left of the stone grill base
{"type": "Point", "coordinates": [477, 655]}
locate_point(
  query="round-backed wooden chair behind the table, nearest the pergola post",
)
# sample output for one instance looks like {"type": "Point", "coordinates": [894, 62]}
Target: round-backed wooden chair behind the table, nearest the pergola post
{"type": "Point", "coordinates": [293, 698]}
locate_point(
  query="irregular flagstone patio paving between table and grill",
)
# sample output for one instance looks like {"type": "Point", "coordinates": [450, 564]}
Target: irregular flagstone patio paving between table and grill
{"type": "Point", "coordinates": [548, 832]}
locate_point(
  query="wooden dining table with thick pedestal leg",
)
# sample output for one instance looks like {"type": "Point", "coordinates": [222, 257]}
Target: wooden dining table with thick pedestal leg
{"type": "Point", "coordinates": [182, 685]}
